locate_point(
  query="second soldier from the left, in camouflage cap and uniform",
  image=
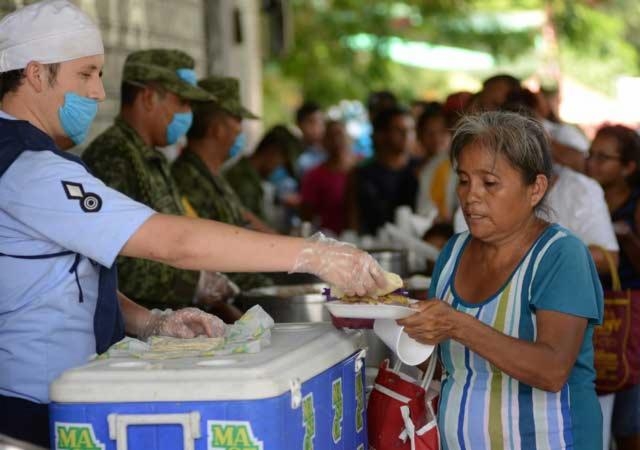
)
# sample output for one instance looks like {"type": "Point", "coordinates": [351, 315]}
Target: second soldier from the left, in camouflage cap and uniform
{"type": "Point", "coordinates": [216, 129]}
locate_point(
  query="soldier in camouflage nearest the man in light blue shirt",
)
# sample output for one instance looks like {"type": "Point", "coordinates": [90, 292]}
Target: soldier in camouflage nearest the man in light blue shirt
{"type": "Point", "coordinates": [157, 88]}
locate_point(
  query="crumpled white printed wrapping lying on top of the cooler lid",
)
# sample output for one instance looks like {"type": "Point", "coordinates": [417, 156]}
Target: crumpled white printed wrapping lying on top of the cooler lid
{"type": "Point", "coordinates": [249, 334]}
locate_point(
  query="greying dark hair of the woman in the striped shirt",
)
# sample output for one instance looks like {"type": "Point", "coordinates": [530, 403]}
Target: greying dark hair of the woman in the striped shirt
{"type": "Point", "coordinates": [521, 140]}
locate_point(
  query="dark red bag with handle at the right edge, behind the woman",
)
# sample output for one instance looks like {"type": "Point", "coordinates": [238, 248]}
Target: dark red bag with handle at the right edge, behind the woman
{"type": "Point", "coordinates": [617, 341]}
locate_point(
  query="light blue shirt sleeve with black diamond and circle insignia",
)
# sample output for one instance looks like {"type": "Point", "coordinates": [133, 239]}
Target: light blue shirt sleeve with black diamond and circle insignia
{"type": "Point", "coordinates": [58, 200]}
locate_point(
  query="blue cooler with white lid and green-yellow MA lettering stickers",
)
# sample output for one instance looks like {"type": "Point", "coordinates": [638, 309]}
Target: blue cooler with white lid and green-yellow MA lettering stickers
{"type": "Point", "coordinates": [305, 391]}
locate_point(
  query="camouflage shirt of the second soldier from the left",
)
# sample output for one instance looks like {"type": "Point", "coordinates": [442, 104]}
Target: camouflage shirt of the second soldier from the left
{"type": "Point", "coordinates": [212, 197]}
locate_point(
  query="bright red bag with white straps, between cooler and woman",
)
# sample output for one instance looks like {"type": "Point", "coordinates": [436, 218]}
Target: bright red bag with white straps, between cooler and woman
{"type": "Point", "coordinates": [401, 413]}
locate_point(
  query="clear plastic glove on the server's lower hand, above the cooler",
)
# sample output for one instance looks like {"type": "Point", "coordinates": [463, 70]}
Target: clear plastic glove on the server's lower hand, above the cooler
{"type": "Point", "coordinates": [183, 323]}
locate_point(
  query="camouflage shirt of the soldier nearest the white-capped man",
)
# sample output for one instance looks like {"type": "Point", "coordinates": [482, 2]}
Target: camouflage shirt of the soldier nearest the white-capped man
{"type": "Point", "coordinates": [121, 159]}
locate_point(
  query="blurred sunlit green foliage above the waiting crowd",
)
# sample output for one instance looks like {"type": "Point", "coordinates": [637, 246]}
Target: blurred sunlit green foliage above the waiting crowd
{"type": "Point", "coordinates": [597, 44]}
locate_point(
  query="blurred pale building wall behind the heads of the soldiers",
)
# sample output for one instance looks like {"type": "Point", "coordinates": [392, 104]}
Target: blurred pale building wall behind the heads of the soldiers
{"type": "Point", "coordinates": [199, 27]}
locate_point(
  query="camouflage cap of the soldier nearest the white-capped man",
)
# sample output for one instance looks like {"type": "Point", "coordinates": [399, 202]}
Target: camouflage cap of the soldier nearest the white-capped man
{"type": "Point", "coordinates": [172, 69]}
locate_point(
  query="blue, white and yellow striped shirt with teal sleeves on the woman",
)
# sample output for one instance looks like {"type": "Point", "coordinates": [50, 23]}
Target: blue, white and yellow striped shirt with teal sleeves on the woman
{"type": "Point", "coordinates": [482, 407]}
